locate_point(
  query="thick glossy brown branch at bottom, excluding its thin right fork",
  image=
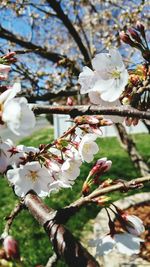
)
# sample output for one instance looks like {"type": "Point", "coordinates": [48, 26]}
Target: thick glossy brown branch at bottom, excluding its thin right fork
{"type": "Point", "coordinates": [64, 243]}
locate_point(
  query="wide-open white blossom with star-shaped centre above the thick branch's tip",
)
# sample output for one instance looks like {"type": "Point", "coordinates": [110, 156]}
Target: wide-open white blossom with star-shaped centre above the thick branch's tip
{"type": "Point", "coordinates": [31, 176]}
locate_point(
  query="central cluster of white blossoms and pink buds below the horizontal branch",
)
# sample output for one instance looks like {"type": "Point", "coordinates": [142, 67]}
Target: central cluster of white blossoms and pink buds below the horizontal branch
{"type": "Point", "coordinates": [57, 165]}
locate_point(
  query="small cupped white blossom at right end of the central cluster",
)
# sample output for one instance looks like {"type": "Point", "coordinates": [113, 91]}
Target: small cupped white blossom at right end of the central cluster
{"type": "Point", "coordinates": [88, 148]}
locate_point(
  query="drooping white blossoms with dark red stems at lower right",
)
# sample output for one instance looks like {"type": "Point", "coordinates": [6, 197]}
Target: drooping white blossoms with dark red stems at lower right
{"type": "Point", "coordinates": [125, 240]}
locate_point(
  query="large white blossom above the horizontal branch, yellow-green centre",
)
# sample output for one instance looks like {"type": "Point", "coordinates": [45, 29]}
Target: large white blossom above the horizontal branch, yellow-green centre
{"type": "Point", "coordinates": [109, 77]}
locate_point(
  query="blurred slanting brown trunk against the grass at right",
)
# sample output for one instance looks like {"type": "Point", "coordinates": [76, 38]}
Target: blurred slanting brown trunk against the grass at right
{"type": "Point", "coordinates": [129, 145]}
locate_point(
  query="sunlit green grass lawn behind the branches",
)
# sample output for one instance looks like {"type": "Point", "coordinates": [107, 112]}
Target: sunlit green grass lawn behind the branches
{"type": "Point", "coordinates": [34, 245]}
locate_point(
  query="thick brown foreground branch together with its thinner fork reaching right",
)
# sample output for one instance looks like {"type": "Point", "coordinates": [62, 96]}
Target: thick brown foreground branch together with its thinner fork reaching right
{"type": "Point", "coordinates": [63, 241]}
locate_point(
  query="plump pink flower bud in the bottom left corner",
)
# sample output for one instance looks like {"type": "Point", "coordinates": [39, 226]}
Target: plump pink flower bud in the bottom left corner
{"type": "Point", "coordinates": [11, 247]}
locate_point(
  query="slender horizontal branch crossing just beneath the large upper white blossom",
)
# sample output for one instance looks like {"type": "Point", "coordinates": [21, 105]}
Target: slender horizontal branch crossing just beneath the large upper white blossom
{"type": "Point", "coordinates": [90, 110]}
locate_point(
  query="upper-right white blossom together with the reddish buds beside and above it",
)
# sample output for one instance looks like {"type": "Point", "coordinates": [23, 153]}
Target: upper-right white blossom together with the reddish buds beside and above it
{"type": "Point", "coordinates": [110, 83]}
